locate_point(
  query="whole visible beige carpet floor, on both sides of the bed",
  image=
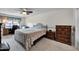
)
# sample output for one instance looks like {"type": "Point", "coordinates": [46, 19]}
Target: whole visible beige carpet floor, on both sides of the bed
{"type": "Point", "coordinates": [43, 45]}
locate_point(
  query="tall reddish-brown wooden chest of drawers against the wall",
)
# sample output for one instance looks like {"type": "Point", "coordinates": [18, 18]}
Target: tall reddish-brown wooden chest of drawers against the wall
{"type": "Point", "coordinates": [63, 34]}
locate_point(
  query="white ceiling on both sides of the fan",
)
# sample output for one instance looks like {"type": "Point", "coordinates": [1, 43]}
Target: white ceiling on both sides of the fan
{"type": "Point", "coordinates": [16, 12]}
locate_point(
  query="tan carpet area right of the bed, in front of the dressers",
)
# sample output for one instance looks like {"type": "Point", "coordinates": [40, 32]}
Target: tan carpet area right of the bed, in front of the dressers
{"type": "Point", "coordinates": [51, 45]}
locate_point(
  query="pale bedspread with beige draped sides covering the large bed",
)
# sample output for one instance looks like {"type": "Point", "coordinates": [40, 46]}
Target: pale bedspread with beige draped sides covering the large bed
{"type": "Point", "coordinates": [28, 36]}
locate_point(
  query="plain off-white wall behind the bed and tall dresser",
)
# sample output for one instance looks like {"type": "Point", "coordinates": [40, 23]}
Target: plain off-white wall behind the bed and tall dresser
{"type": "Point", "coordinates": [53, 17]}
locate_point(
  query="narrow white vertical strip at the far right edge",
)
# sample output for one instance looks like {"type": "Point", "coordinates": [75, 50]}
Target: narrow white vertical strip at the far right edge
{"type": "Point", "coordinates": [77, 28]}
